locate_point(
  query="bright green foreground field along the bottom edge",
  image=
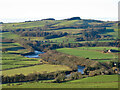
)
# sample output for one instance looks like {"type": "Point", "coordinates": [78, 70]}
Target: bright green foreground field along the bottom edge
{"type": "Point", "coordinates": [108, 81]}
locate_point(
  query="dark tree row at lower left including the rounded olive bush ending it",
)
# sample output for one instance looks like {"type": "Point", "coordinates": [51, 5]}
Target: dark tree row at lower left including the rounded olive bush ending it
{"type": "Point", "coordinates": [58, 76]}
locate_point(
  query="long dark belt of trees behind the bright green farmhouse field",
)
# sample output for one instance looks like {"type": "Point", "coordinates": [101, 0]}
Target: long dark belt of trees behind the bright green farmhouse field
{"type": "Point", "coordinates": [49, 45]}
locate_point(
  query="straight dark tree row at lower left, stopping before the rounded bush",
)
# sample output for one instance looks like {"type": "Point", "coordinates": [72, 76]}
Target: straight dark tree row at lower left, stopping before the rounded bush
{"type": "Point", "coordinates": [29, 77]}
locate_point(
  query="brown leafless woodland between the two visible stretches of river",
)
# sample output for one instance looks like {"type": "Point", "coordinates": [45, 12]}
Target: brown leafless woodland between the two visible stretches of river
{"type": "Point", "coordinates": [57, 58]}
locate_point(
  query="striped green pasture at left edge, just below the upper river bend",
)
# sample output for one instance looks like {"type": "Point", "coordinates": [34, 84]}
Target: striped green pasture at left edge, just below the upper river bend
{"type": "Point", "coordinates": [13, 61]}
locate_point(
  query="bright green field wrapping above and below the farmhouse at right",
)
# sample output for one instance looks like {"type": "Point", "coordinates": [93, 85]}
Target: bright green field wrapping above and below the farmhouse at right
{"type": "Point", "coordinates": [90, 52]}
